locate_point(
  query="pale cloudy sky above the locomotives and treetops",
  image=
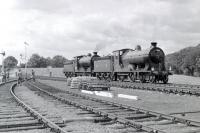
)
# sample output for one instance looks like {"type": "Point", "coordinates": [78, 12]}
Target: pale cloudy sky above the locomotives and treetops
{"type": "Point", "coordinates": [76, 27]}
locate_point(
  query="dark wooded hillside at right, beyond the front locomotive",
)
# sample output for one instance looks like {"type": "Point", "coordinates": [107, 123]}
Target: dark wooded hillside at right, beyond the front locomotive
{"type": "Point", "coordinates": [185, 61]}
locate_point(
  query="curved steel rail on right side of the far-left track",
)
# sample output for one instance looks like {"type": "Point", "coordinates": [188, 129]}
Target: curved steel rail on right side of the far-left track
{"type": "Point", "coordinates": [35, 114]}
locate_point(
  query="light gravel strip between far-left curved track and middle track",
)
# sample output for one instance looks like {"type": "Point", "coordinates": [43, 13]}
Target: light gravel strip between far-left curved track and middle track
{"type": "Point", "coordinates": [51, 107]}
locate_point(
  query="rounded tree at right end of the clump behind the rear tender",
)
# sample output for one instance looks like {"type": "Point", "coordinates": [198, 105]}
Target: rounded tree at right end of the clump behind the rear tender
{"type": "Point", "coordinates": [58, 61]}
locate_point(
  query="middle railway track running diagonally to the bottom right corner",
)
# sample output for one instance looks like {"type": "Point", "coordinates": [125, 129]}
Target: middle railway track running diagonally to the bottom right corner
{"type": "Point", "coordinates": [140, 119]}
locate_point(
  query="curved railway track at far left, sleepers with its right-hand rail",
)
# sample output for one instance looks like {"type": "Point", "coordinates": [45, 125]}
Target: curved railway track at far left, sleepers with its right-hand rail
{"type": "Point", "coordinates": [16, 115]}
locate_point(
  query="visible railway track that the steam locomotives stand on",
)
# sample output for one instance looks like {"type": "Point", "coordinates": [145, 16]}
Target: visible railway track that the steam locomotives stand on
{"type": "Point", "coordinates": [182, 89]}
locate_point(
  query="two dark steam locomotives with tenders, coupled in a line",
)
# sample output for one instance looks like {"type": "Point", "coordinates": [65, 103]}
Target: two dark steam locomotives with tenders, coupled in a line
{"type": "Point", "coordinates": [143, 65]}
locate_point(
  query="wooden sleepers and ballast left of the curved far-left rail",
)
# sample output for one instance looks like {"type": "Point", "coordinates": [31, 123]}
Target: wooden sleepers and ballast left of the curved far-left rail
{"type": "Point", "coordinates": [13, 117]}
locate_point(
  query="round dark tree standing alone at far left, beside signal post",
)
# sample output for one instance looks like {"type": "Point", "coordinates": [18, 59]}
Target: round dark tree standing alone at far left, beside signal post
{"type": "Point", "coordinates": [10, 62]}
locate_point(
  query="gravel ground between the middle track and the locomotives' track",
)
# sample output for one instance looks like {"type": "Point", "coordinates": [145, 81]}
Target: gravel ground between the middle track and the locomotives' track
{"type": "Point", "coordinates": [155, 101]}
